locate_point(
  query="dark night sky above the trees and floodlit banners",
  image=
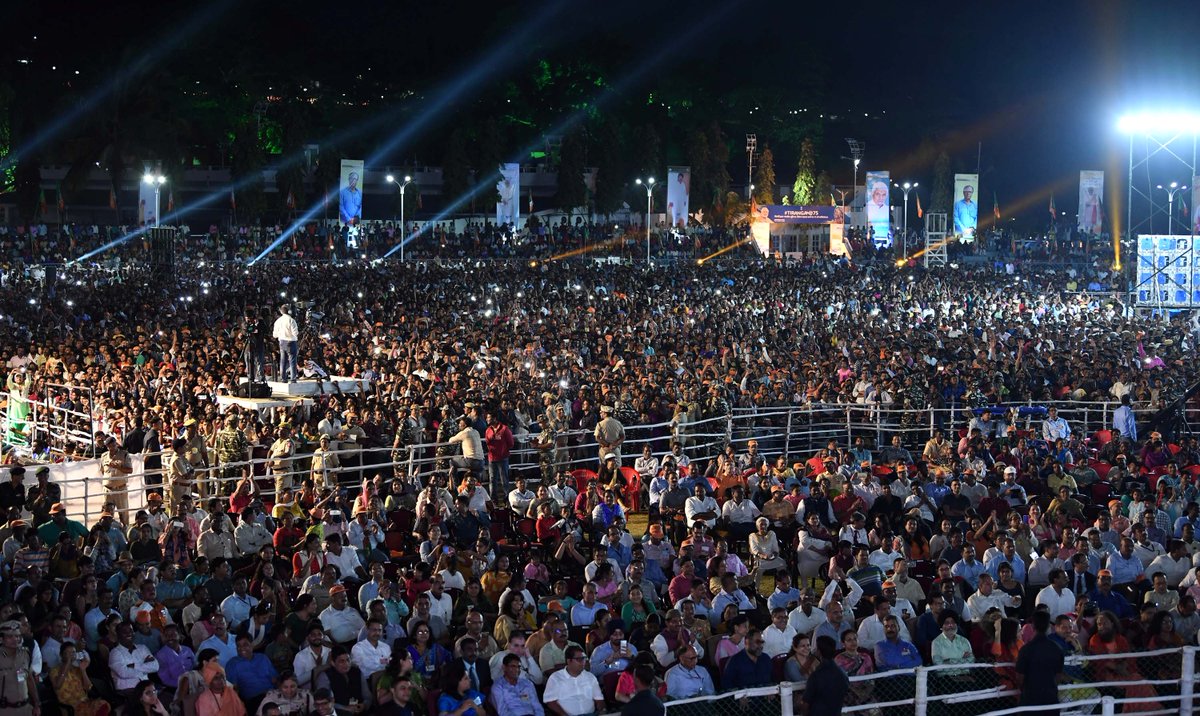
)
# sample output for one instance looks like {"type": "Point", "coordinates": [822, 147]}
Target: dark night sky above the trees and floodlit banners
{"type": "Point", "coordinates": [1040, 85]}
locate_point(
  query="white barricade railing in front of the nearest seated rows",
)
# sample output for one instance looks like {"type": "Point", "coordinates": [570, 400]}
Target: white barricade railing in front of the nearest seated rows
{"type": "Point", "coordinates": [1162, 682]}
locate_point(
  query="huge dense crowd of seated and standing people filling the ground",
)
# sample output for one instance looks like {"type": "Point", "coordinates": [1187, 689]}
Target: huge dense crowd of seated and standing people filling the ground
{"type": "Point", "coordinates": [274, 573]}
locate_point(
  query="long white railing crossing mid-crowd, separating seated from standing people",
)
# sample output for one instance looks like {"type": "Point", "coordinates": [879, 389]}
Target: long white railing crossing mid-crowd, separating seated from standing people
{"type": "Point", "coordinates": [791, 431]}
